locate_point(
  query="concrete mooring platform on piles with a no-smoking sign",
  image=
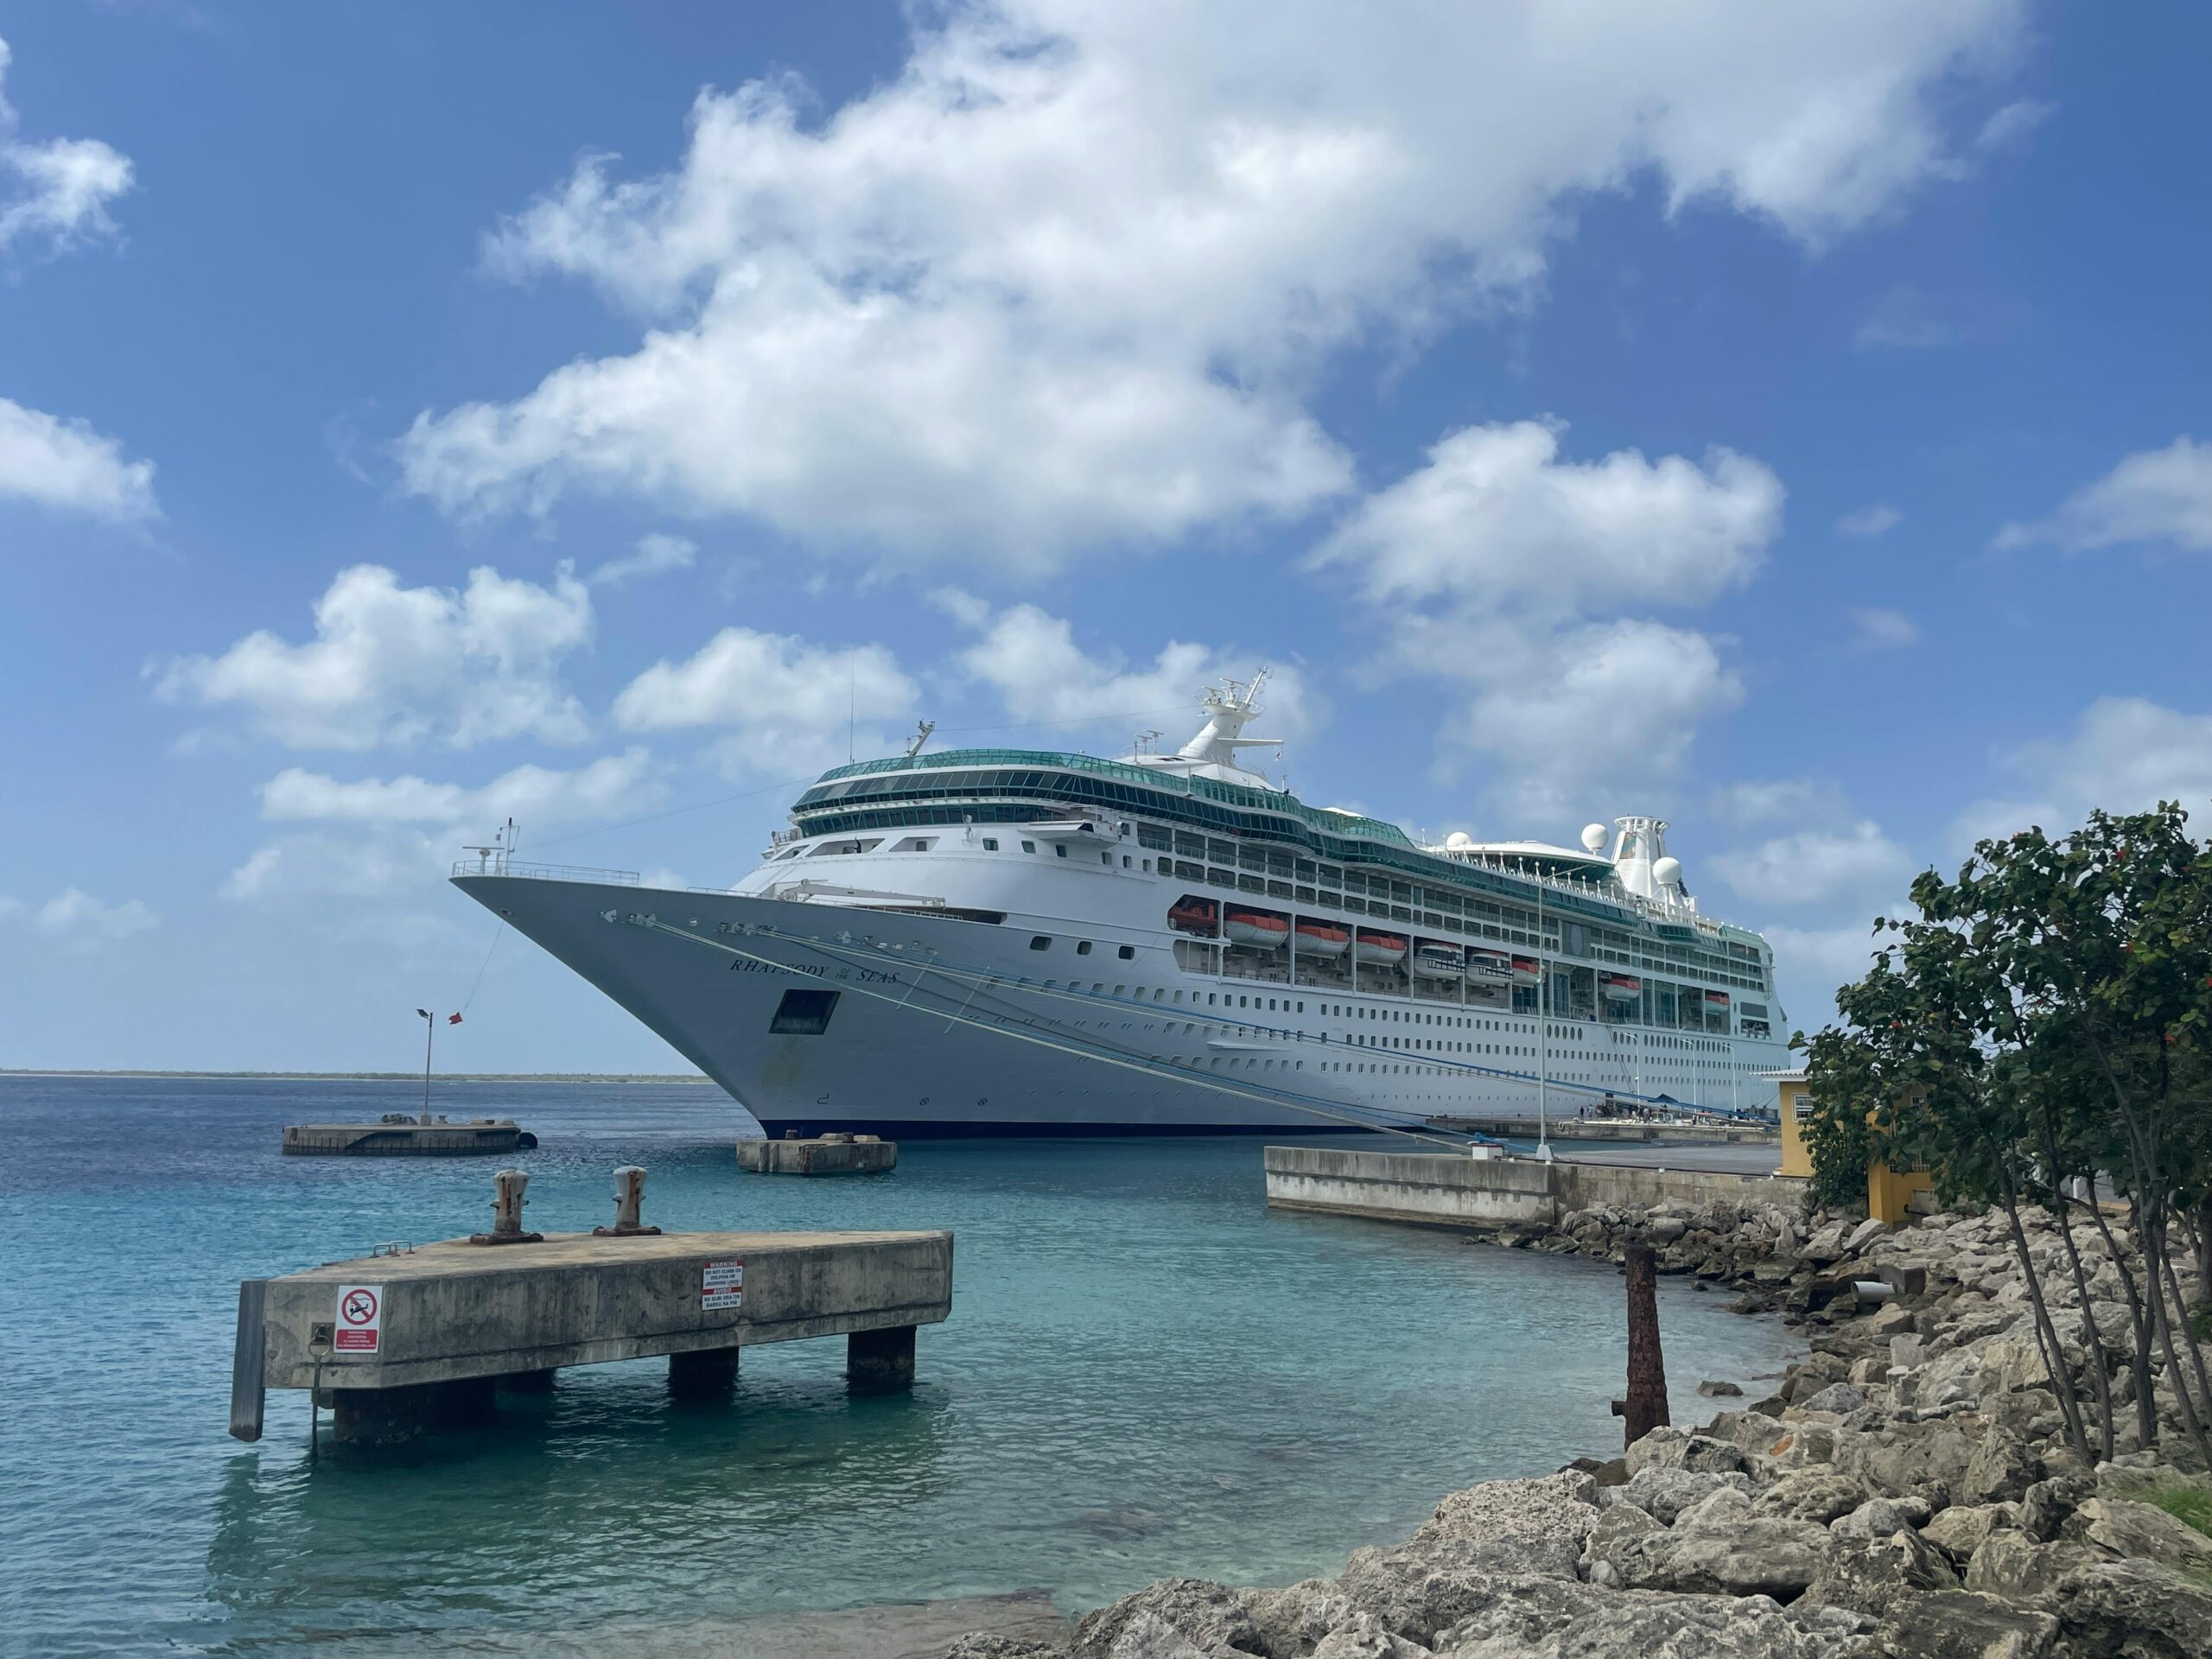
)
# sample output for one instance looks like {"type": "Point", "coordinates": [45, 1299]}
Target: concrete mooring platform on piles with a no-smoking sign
{"type": "Point", "coordinates": [426, 1339]}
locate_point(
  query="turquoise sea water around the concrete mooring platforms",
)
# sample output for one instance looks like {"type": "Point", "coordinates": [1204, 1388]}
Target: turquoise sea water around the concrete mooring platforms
{"type": "Point", "coordinates": [1145, 1373]}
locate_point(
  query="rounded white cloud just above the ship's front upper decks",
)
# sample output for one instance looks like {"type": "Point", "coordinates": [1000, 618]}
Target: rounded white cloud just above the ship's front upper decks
{"type": "Point", "coordinates": [782, 702]}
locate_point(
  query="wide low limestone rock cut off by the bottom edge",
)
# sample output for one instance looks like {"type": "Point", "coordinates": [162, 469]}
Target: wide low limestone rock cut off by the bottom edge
{"type": "Point", "coordinates": [1687, 1627]}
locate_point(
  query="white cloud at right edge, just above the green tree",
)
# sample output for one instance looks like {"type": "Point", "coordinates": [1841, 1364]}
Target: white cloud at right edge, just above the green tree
{"type": "Point", "coordinates": [2122, 755]}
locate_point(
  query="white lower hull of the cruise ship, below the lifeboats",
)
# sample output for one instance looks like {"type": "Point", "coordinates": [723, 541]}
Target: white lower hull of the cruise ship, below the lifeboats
{"type": "Point", "coordinates": [926, 1041]}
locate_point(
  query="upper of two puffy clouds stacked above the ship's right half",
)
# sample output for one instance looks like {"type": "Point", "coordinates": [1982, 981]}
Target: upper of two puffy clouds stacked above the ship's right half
{"type": "Point", "coordinates": [1496, 517]}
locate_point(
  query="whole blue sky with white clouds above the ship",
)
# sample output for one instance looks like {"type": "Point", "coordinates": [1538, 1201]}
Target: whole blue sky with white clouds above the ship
{"type": "Point", "coordinates": [1784, 421]}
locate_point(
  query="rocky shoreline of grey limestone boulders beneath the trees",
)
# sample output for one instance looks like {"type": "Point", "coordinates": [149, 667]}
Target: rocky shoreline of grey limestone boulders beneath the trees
{"type": "Point", "coordinates": [1906, 1494]}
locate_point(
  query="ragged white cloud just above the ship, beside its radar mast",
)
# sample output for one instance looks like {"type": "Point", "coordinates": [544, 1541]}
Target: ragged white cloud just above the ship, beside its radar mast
{"type": "Point", "coordinates": [1032, 660]}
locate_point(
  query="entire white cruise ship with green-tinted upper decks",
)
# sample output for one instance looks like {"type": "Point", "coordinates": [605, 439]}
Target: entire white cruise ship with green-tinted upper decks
{"type": "Point", "coordinates": [1043, 943]}
